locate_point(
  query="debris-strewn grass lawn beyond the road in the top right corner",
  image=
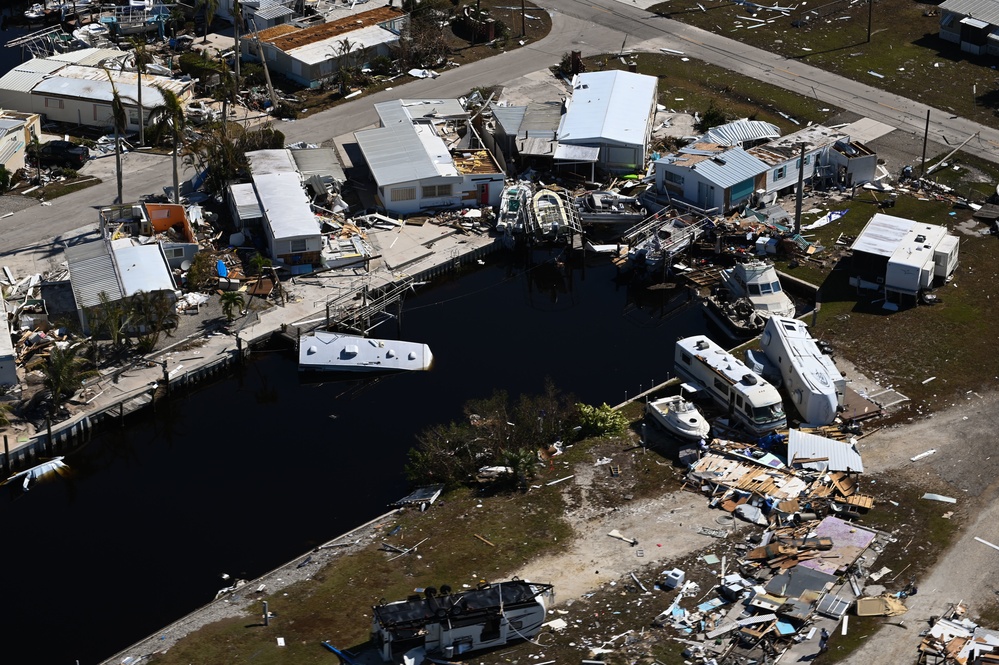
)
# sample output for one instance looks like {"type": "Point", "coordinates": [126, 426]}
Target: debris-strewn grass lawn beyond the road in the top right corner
{"type": "Point", "coordinates": [905, 49]}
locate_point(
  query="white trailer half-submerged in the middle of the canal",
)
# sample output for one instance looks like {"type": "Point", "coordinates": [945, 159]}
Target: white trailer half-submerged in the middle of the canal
{"type": "Point", "coordinates": [336, 352]}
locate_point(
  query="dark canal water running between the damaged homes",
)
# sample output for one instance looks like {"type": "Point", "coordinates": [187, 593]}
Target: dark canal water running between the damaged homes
{"type": "Point", "coordinates": [245, 474]}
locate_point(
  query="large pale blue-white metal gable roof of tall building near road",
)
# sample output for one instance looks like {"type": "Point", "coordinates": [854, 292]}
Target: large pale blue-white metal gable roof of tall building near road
{"type": "Point", "coordinates": [611, 105]}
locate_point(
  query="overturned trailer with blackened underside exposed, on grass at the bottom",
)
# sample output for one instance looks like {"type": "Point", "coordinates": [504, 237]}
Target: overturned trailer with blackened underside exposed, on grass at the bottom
{"type": "Point", "coordinates": [450, 624]}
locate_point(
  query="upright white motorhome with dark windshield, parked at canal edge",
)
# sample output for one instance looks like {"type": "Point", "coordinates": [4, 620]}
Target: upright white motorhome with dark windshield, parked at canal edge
{"type": "Point", "coordinates": [747, 398]}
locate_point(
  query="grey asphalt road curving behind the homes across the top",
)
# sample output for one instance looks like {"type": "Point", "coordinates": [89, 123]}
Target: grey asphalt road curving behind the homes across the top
{"type": "Point", "coordinates": [598, 26]}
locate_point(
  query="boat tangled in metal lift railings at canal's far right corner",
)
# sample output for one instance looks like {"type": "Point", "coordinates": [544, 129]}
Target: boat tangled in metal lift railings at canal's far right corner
{"type": "Point", "coordinates": [655, 243]}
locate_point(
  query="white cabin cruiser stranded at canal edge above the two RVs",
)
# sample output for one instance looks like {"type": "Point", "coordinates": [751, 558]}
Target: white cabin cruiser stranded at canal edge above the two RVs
{"type": "Point", "coordinates": [749, 294]}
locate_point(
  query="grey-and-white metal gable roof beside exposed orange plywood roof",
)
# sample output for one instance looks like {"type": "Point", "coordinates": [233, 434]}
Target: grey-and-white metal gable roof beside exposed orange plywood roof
{"type": "Point", "coordinates": [396, 154]}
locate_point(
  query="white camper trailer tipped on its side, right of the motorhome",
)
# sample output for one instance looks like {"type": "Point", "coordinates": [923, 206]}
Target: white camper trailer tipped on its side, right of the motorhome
{"type": "Point", "coordinates": [811, 378]}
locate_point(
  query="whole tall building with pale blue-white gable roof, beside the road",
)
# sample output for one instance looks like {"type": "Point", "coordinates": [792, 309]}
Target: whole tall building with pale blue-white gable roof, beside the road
{"type": "Point", "coordinates": [613, 111]}
